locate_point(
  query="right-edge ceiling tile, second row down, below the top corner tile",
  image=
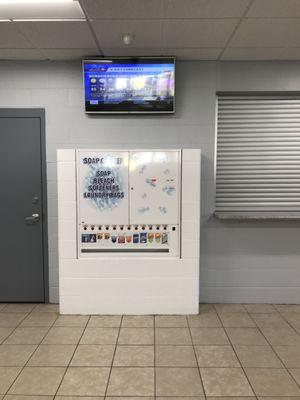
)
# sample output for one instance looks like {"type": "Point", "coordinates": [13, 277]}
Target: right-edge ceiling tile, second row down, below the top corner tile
{"type": "Point", "coordinates": [267, 33]}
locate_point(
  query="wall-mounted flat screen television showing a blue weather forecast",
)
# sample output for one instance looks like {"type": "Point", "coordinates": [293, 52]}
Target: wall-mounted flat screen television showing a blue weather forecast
{"type": "Point", "coordinates": [129, 85]}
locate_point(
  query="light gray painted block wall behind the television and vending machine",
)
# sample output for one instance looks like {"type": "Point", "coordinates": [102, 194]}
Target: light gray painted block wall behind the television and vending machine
{"type": "Point", "coordinates": [240, 261]}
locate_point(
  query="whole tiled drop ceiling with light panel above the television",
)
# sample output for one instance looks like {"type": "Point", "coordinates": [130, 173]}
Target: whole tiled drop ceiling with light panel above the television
{"type": "Point", "coordinates": [187, 29]}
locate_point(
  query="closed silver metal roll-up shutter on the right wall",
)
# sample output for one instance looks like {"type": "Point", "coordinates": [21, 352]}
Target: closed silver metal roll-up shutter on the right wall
{"type": "Point", "coordinates": [258, 156]}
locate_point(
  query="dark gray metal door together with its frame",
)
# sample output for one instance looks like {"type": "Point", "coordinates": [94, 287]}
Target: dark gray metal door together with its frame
{"type": "Point", "coordinates": [22, 236]}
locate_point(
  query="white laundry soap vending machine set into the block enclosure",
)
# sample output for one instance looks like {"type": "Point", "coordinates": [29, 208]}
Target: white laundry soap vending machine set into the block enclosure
{"type": "Point", "coordinates": [128, 202]}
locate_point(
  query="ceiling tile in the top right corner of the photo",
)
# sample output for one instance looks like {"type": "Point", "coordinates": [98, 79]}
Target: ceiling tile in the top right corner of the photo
{"type": "Point", "coordinates": [274, 8]}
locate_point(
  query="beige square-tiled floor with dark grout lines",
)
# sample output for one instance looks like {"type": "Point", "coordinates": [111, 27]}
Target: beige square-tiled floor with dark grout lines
{"type": "Point", "coordinates": [227, 351]}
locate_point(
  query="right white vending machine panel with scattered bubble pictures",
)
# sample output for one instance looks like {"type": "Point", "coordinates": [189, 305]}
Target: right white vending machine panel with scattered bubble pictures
{"type": "Point", "coordinates": [154, 187]}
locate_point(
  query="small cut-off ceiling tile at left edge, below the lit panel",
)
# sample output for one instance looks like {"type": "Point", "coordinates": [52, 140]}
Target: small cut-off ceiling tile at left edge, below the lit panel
{"type": "Point", "coordinates": [11, 38]}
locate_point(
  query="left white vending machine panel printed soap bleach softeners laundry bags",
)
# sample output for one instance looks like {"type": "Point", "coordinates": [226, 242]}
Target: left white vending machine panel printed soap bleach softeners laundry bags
{"type": "Point", "coordinates": [102, 187]}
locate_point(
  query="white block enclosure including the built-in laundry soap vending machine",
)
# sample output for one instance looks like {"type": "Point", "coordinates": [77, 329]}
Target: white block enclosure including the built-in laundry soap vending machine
{"type": "Point", "coordinates": [135, 218]}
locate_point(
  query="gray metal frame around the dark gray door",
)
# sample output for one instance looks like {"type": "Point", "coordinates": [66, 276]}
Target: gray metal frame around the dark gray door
{"type": "Point", "coordinates": [37, 113]}
